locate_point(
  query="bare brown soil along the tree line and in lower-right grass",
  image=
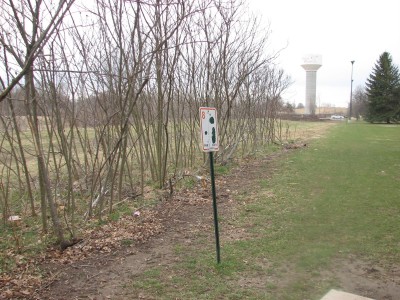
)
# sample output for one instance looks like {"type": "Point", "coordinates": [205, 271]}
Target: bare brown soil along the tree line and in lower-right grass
{"type": "Point", "coordinates": [178, 220]}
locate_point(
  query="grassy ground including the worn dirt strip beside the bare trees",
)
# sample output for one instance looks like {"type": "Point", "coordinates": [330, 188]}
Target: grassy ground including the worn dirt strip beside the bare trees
{"type": "Point", "coordinates": [294, 224]}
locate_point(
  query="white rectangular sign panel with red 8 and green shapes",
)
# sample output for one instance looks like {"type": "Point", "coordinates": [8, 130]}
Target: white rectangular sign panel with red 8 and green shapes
{"type": "Point", "coordinates": [209, 129]}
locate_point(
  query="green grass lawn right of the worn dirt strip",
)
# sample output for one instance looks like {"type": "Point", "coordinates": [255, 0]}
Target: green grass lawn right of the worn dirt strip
{"type": "Point", "coordinates": [334, 200]}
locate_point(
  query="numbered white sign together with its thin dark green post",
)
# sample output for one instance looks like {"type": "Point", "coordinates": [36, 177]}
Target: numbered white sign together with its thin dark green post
{"type": "Point", "coordinates": [209, 139]}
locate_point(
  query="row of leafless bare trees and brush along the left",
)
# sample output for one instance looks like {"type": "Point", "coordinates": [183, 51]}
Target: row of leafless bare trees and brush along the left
{"type": "Point", "coordinates": [99, 100]}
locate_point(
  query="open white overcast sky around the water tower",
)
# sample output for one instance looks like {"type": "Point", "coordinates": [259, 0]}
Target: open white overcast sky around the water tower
{"type": "Point", "coordinates": [340, 31]}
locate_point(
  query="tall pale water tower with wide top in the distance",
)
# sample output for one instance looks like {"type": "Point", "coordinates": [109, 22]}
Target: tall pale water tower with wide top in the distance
{"type": "Point", "coordinates": [311, 63]}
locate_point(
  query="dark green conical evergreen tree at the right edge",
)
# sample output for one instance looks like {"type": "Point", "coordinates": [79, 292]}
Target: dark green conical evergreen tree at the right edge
{"type": "Point", "coordinates": [383, 89]}
